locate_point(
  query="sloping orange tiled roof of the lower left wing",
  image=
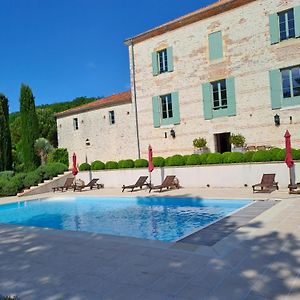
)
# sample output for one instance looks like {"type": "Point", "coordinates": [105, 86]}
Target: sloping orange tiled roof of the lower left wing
{"type": "Point", "coordinates": [116, 99]}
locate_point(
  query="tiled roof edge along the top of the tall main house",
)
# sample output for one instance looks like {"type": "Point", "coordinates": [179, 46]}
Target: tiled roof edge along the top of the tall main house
{"type": "Point", "coordinates": [216, 8]}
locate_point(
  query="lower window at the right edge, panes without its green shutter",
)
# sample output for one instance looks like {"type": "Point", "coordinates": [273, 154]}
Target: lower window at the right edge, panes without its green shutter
{"type": "Point", "coordinates": [290, 82]}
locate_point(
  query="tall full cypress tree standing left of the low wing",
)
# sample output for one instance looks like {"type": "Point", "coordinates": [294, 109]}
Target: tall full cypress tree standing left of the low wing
{"type": "Point", "coordinates": [29, 127]}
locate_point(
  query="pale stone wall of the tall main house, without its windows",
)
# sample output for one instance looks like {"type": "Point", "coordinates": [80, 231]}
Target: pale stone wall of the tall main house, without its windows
{"type": "Point", "coordinates": [248, 56]}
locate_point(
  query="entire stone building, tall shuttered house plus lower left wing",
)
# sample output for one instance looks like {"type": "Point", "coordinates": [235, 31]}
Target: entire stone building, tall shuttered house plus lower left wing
{"type": "Point", "coordinates": [231, 67]}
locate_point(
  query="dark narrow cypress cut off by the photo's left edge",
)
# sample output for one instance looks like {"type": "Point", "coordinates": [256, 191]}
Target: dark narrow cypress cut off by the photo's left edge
{"type": "Point", "coordinates": [5, 138]}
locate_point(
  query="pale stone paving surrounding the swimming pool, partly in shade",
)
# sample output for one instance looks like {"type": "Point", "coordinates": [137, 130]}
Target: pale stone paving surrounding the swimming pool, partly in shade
{"type": "Point", "coordinates": [260, 260]}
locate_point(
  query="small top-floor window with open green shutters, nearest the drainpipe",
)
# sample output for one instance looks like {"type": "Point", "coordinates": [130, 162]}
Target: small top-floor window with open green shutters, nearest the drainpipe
{"type": "Point", "coordinates": [162, 61]}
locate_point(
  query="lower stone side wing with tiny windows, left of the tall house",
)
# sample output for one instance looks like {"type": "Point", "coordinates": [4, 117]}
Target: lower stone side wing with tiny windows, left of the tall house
{"type": "Point", "coordinates": [96, 138]}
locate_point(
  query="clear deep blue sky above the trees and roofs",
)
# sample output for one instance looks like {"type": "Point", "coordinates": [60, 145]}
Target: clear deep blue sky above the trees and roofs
{"type": "Point", "coordinates": [65, 49]}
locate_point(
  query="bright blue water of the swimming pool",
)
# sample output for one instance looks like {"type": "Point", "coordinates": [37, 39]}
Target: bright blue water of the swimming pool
{"type": "Point", "coordinates": [165, 219]}
